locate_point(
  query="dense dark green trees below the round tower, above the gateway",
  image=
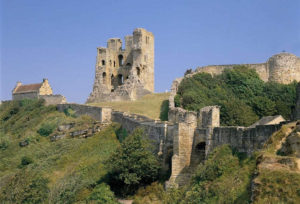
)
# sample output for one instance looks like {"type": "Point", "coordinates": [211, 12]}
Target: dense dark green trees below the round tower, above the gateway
{"type": "Point", "coordinates": [241, 94]}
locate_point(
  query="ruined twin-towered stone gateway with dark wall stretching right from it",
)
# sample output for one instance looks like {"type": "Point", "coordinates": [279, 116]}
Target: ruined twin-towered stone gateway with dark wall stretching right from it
{"type": "Point", "coordinates": [197, 134]}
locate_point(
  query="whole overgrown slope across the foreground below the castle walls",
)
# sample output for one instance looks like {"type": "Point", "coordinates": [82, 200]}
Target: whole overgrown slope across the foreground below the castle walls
{"type": "Point", "coordinates": [75, 170]}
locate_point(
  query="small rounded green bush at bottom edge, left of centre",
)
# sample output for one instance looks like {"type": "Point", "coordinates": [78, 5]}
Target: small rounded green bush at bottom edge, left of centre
{"type": "Point", "coordinates": [102, 194]}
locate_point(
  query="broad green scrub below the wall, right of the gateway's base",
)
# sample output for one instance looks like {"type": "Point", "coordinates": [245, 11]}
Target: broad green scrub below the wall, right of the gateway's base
{"type": "Point", "coordinates": [223, 178]}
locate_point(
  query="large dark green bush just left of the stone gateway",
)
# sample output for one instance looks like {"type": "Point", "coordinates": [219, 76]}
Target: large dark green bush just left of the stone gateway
{"type": "Point", "coordinates": [132, 165]}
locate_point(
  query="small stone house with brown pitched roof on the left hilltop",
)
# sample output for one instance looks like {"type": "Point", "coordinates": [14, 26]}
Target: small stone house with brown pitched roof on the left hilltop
{"type": "Point", "coordinates": [37, 91]}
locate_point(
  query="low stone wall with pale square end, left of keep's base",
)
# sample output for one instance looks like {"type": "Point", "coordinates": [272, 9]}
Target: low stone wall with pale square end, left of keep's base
{"type": "Point", "coordinates": [98, 113]}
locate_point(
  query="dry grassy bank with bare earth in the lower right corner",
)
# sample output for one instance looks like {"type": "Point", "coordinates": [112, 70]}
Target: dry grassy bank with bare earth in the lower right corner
{"type": "Point", "coordinates": [278, 168]}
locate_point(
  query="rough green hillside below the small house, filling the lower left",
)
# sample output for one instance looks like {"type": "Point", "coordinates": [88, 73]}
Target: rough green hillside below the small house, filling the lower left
{"type": "Point", "coordinates": [66, 171]}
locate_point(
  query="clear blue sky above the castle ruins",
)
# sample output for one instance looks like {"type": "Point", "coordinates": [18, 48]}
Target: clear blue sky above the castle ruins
{"type": "Point", "coordinates": [57, 39]}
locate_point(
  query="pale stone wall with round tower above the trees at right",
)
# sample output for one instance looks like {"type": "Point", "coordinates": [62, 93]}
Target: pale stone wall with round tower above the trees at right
{"type": "Point", "coordinates": [282, 68]}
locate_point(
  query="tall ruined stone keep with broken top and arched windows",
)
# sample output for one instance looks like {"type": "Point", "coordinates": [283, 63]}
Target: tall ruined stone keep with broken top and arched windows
{"type": "Point", "coordinates": [124, 74]}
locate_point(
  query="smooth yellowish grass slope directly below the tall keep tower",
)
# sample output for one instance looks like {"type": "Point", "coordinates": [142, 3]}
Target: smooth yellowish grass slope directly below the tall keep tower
{"type": "Point", "coordinates": [154, 106]}
